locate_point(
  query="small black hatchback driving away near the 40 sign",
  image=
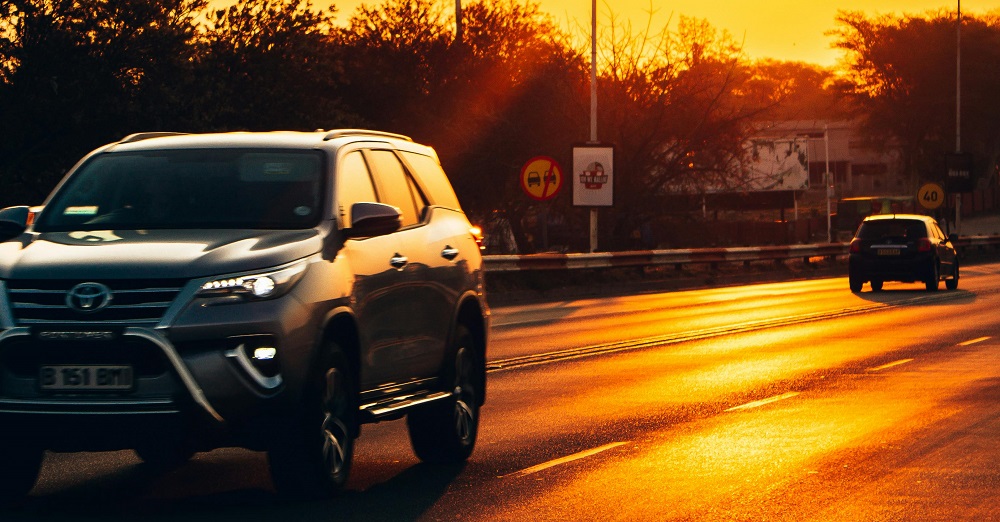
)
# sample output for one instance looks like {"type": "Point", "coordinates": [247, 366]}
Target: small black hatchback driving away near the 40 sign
{"type": "Point", "coordinates": [902, 247]}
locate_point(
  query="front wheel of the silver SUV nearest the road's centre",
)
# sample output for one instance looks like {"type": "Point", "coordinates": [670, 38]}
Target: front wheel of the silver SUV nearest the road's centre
{"type": "Point", "coordinates": [313, 459]}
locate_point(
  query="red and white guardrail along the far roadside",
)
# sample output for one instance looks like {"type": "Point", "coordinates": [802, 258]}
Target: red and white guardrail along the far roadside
{"type": "Point", "coordinates": [681, 257]}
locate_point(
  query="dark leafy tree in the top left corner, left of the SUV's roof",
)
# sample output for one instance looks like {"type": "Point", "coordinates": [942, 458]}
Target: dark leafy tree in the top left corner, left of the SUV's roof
{"type": "Point", "coordinates": [78, 74]}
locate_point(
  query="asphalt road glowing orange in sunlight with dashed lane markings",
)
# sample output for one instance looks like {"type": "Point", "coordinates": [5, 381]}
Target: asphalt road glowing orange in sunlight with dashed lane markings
{"type": "Point", "coordinates": [789, 401]}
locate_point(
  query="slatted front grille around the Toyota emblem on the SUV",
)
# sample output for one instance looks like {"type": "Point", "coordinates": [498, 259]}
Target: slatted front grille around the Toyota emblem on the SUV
{"type": "Point", "coordinates": [133, 302]}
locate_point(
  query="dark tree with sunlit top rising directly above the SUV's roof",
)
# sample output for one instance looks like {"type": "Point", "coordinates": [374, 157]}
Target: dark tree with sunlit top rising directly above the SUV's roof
{"type": "Point", "coordinates": [268, 64]}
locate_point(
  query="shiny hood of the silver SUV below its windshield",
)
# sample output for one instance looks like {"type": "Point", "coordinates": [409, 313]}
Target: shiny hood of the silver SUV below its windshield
{"type": "Point", "coordinates": [158, 254]}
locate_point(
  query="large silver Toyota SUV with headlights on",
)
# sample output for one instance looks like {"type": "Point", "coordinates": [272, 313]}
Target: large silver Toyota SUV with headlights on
{"type": "Point", "coordinates": [274, 291]}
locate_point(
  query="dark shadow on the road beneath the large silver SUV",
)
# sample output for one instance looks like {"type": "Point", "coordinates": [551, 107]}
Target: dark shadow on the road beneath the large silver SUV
{"type": "Point", "coordinates": [142, 492]}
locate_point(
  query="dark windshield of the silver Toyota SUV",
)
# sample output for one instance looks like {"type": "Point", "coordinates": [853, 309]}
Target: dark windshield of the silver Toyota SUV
{"type": "Point", "coordinates": [190, 188]}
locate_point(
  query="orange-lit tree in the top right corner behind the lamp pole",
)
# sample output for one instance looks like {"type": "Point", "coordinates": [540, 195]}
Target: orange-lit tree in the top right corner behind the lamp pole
{"type": "Point", "coordinates": [902, 76]}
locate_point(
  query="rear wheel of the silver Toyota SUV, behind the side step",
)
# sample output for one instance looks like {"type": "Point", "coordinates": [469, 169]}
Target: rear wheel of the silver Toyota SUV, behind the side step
{"type": "Point", "coordinates": [445, 432]}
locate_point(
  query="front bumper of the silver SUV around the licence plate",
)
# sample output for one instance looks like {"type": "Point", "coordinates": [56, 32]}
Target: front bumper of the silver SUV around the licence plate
{"type": "Point", "coordinates": [192, 382]}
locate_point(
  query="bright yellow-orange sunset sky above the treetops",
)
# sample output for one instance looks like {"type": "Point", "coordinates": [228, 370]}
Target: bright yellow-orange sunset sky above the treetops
{"type": "Point", "coordinates": [782, 29]}
